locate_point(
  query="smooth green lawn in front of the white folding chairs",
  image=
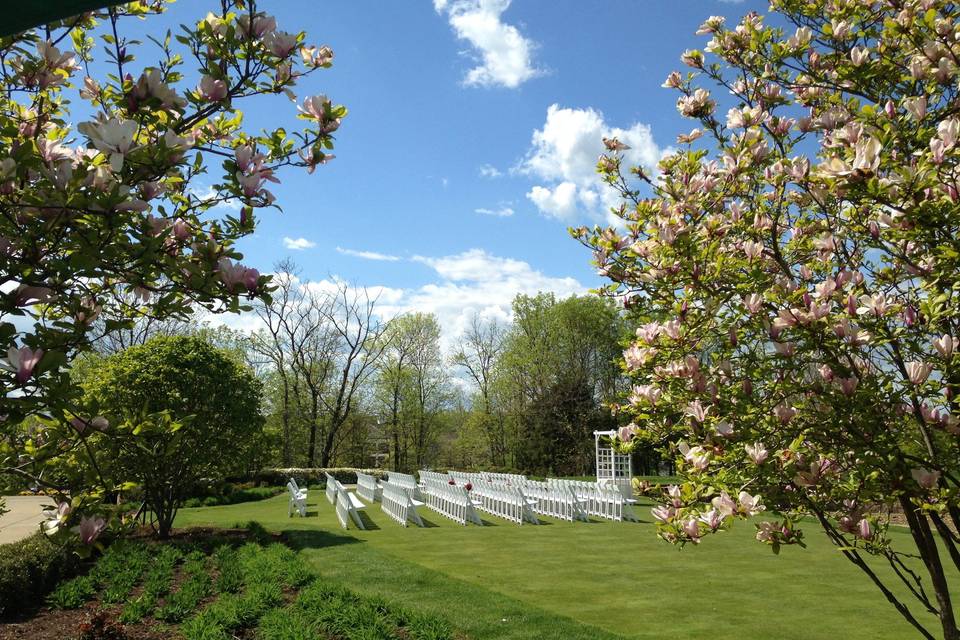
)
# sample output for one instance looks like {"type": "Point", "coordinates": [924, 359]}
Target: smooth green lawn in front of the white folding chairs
{"type": "Point", "coordinates": [584, 580]}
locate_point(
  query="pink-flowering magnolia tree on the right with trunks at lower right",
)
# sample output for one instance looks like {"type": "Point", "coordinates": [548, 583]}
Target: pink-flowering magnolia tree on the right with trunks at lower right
{"type": "Point", "coordinates": [795, 280]}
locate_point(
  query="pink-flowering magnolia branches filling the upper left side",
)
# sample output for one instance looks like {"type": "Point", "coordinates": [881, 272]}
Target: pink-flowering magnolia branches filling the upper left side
{"type": "Point", "coordinates": [106, 204]}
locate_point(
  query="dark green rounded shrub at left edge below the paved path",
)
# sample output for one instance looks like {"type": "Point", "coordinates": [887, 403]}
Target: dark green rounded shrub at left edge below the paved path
{"type": "Point", "coordinates": [29, 570]}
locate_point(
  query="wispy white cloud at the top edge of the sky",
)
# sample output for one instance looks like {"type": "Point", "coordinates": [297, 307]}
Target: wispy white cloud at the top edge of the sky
{"type": "Point", "coordinates": [505, 56]}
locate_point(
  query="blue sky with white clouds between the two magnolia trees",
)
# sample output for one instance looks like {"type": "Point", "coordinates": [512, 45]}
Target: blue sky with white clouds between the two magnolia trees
{"type": "Point", "coordinates": [469, 149]}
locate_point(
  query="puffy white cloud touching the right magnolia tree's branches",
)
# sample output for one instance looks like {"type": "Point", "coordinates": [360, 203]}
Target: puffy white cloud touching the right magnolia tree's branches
{"type": "Point", "coordinates": [563, 156]}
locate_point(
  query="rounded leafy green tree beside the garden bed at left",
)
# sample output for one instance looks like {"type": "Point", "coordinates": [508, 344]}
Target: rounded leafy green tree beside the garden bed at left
{"type": "Point", "coordinates": [182, 411]}
